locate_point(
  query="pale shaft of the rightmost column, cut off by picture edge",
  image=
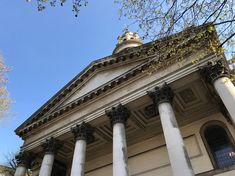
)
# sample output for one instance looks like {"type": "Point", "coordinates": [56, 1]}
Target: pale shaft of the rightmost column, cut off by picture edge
{"type": "Point", "coordinates": [226, 91]}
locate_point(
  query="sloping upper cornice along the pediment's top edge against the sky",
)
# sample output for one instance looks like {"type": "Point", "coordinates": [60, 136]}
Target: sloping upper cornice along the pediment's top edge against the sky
{"type": "Point", "coordinates": [122, 56]}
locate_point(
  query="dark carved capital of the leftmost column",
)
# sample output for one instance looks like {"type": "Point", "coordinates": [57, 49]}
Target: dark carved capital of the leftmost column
{"type": "Point", "coordinates": [24, 158]}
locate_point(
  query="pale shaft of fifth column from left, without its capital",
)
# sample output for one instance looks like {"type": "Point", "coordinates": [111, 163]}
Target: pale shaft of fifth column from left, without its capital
{"type": "Point", "coordinates": [178, 156]}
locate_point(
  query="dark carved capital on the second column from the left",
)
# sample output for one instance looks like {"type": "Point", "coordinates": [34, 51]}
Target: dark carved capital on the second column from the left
{"type": "Point", "coordinates": [51, 145]}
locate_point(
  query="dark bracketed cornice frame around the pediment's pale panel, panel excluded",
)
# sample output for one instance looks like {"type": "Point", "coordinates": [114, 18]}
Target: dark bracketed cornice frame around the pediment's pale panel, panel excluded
{"type": "Point", "coordinates": [149, 50]}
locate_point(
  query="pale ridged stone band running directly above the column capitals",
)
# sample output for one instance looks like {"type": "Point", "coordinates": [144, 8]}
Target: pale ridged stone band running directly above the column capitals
{"type": "Point", "coordinates": [140, 92]}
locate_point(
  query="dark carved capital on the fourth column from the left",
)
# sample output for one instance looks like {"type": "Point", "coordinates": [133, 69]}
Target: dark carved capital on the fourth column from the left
{"type": "Point", "coordinates": [118, 114]}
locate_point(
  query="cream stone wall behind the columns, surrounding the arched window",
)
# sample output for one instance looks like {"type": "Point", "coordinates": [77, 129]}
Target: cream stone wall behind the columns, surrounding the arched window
{"type": "Point", "coordinates": [151, 154]}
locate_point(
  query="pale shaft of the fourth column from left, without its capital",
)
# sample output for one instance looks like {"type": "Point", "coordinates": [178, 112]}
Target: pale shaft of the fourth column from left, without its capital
{"type": "Point", "coordinates": [120, 166]}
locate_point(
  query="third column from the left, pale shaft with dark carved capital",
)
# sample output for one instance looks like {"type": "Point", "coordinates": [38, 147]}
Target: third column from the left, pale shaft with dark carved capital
{"type": "Point", "coordinates": [83, 134]}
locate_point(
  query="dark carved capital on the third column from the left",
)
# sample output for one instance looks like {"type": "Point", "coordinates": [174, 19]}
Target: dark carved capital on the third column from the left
{"type": "Point", "coordinates": [83, 131]}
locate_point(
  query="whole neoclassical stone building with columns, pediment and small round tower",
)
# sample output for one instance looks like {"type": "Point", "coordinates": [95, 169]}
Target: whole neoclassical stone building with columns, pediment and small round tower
{"type": "Point", "coordinates": [158, 109]}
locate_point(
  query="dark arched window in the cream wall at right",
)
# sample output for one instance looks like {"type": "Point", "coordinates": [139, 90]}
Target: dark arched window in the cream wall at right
{"type": "Point", "coordinates": [219, 144]}
